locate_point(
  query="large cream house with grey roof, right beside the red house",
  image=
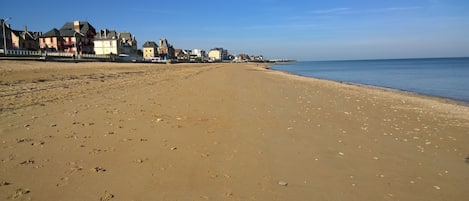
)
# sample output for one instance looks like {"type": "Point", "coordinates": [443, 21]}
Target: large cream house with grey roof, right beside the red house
{"type": "Point", "coordinates": [108, 42]}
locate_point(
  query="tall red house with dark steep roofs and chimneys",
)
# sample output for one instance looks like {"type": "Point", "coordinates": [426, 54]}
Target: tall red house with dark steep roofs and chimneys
{"type": "Point", "coordinates": [76, 37]}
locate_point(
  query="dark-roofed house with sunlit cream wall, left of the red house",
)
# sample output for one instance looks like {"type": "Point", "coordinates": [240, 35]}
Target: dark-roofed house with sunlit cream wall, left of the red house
{"type": "Point", "coordinates": [25, 40]}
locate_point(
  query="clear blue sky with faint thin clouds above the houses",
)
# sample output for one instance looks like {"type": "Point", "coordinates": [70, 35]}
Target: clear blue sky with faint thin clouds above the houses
{"type": "Point", "coordinates": [302, 30]}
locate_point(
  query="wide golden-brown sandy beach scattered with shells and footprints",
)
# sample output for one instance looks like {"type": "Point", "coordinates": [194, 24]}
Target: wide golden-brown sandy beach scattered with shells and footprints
{"type": "Point", "coordinates": [108, 131]}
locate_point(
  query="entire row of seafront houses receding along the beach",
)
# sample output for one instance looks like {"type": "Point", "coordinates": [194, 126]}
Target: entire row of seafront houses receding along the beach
{"type": "Point", "coordinates": [80, 37]}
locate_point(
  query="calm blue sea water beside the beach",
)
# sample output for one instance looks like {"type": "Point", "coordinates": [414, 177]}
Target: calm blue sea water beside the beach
{"type": "Point", "coordinates": [443, 77]}
